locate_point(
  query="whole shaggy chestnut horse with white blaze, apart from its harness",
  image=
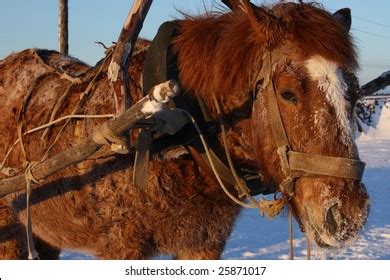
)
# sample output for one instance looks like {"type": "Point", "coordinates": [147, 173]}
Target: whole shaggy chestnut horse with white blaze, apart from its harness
{"type": "Point", "coordinates": [94, 207]}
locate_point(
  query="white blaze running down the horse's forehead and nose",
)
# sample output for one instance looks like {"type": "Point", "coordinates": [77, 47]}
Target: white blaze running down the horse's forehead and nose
{"type": "Point", "coordinates": [330, 80]}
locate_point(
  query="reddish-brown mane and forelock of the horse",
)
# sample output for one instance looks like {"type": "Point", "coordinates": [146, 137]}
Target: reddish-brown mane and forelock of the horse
{"type": "Point", "coordinates": [219, 53]}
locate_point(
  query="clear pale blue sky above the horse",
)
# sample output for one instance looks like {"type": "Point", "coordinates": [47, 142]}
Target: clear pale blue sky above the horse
{"type": "Point", "coordinates": [33, 23]}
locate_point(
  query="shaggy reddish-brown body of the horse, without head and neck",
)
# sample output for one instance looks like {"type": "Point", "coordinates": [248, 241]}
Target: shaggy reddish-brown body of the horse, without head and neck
{"type": "Point", "coordinates": [93, 207]}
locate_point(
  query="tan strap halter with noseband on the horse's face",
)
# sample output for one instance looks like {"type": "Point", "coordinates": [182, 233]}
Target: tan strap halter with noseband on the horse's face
{"type": "Point", "coordinates": [294, 164]}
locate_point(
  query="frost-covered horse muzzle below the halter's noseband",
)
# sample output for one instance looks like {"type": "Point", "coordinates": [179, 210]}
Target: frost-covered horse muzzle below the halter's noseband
{"type": "Point", "coordinates": [335, 214]}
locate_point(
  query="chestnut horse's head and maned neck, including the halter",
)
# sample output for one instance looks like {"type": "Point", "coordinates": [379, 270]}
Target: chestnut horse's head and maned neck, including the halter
{"type": "Point", "coordinates": [301, 58]}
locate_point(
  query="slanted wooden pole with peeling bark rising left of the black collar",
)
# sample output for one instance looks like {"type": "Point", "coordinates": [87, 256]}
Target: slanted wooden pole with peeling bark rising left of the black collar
{"type": "Point", "coordinates": [117, 70]}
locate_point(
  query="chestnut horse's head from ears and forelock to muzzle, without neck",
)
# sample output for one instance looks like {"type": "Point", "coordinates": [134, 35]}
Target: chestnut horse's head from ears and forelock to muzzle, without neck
{"type": "Point", "coordinates": [307, 64]}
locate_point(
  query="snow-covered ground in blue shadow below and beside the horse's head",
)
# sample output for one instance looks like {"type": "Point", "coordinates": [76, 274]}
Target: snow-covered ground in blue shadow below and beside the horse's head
{"type": "Point", "coordinates": [256, 237]}
